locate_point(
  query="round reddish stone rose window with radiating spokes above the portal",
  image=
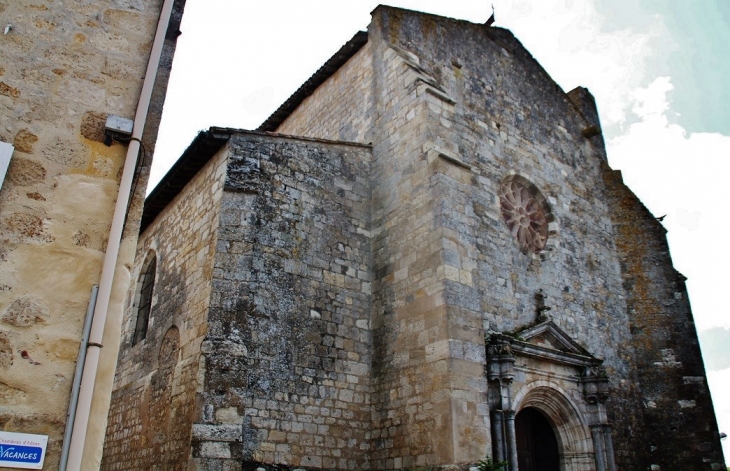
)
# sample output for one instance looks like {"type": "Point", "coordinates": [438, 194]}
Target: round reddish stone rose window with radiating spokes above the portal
{"type": "Point", "coordinates": [525, 211]}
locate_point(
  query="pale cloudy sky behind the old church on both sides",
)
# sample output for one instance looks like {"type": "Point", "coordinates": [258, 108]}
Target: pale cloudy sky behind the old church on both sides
{"type": "Point", "coordinates": [659, 70]}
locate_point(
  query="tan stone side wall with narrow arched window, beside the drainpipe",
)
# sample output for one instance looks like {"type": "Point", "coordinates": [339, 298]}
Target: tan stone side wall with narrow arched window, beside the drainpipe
{"type": "Point", "coordinates": [153, 404]}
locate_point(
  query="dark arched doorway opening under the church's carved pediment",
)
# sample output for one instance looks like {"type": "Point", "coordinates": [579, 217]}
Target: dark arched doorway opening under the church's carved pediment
{"type": "Point", "coordinates": [537, 446]}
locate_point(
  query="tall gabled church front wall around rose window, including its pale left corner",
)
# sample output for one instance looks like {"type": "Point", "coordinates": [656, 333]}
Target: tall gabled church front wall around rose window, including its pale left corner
{"type": "Point", "coordinates": [453, 115]}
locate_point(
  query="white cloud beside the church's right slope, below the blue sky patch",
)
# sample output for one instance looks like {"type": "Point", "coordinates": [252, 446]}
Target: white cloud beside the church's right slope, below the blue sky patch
{"type": "Point", "coordinates": [682, 175]}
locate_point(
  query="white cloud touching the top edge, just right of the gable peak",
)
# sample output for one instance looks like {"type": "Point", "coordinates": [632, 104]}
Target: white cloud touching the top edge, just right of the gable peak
{"type": "Point", "coordinates": [568, 37]}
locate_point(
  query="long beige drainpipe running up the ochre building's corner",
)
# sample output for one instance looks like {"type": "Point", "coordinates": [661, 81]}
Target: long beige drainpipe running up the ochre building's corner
{"type": "Point", "coordinates": [81, 422]}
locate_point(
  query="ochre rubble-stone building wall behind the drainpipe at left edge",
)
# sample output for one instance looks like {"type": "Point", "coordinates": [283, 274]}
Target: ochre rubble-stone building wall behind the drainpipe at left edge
{"type": "Point", "coordinates": [64, 68]}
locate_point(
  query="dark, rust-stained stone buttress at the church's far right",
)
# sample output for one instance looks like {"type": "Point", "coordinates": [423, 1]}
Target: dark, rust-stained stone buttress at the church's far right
{"type": "Point", "coordinates": [680, 430]}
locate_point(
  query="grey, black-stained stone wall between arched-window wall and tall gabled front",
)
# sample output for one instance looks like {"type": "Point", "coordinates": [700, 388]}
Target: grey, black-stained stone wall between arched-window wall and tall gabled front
{"type": "Point", "coordinates": [287, 355]}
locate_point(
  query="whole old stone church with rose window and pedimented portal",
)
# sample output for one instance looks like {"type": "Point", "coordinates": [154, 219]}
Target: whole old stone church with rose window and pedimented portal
{"type": "Point", "coordinates": [441, 267]}
